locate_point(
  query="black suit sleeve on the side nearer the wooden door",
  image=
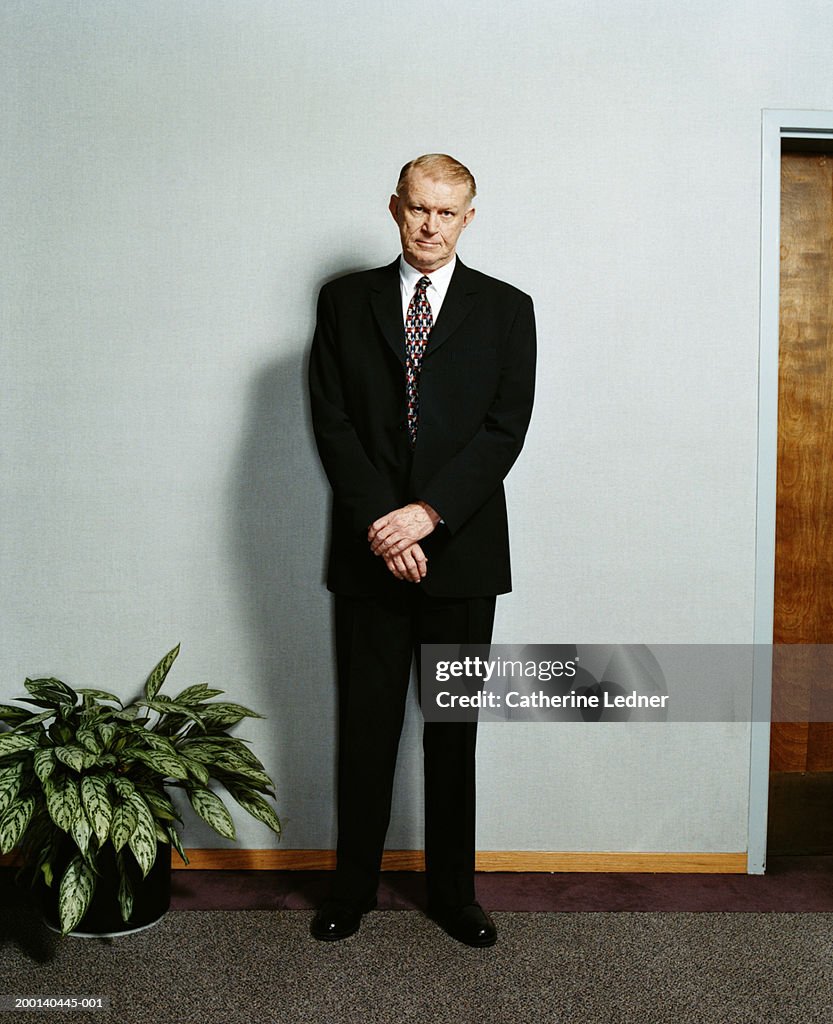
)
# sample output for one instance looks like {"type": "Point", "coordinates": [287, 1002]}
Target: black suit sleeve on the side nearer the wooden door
{"type": "Point", "coordinates": [465, 484]}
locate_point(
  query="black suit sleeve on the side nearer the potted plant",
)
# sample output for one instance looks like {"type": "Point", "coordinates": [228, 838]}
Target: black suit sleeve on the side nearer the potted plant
{"type": "Point", "coordinates": [358, 487]}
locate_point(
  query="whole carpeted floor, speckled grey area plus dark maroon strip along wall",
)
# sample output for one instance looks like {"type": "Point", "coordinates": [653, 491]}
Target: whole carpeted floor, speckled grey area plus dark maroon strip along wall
{"type": "Point", "coordinates": [562, 960]}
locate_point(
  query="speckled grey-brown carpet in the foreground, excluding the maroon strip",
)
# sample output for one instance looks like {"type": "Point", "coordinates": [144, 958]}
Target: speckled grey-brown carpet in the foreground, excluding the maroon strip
{"type": "Point", "coordinates": [259, 967]}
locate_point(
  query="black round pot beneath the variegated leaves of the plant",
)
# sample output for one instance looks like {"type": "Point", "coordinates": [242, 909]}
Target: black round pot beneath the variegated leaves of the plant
{"type": "Point", "coordinates": [152, 895]}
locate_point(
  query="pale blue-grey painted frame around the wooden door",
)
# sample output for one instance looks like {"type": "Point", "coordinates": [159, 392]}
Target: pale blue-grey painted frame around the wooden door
{"type": "Point", "coordinates": [776, 126]}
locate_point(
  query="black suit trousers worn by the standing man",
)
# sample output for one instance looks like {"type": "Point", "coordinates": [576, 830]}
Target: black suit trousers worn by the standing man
{"type": "Point", "coordinates": [377, 641]}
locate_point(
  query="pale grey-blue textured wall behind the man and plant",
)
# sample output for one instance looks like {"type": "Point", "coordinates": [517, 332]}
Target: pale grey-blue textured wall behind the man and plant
{"type": "Point", "coordinates": [180, 180]}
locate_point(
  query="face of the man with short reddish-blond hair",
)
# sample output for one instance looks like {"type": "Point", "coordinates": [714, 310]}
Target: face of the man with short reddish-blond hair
{"type": "Point", "coordinates": [431, 217]}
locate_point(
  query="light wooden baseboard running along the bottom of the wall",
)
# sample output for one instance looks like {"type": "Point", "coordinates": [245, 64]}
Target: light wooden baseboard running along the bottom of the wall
{"type": "Point", "coordinates": [488, 861]}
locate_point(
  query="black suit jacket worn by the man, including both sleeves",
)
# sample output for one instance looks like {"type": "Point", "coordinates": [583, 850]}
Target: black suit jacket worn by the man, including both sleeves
{"type": "Point", "coordinates": [476, 400]}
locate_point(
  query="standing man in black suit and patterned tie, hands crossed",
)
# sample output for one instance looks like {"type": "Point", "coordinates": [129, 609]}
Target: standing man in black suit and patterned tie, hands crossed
{"type": "Point", "coordinates": [422, 379]}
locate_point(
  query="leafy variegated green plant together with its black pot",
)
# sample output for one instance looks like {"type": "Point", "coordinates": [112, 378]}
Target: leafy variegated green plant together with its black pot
{"type": "Point", "coordinates": [85, 790]}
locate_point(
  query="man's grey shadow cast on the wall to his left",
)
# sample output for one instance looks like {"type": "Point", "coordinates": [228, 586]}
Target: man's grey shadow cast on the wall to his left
{"type": "Point", "coordinates": [279, 528]}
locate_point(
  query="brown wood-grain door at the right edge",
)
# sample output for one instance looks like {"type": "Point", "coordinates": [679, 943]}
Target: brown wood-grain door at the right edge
{"type": "Point", "coordinates": [802, 753]}
